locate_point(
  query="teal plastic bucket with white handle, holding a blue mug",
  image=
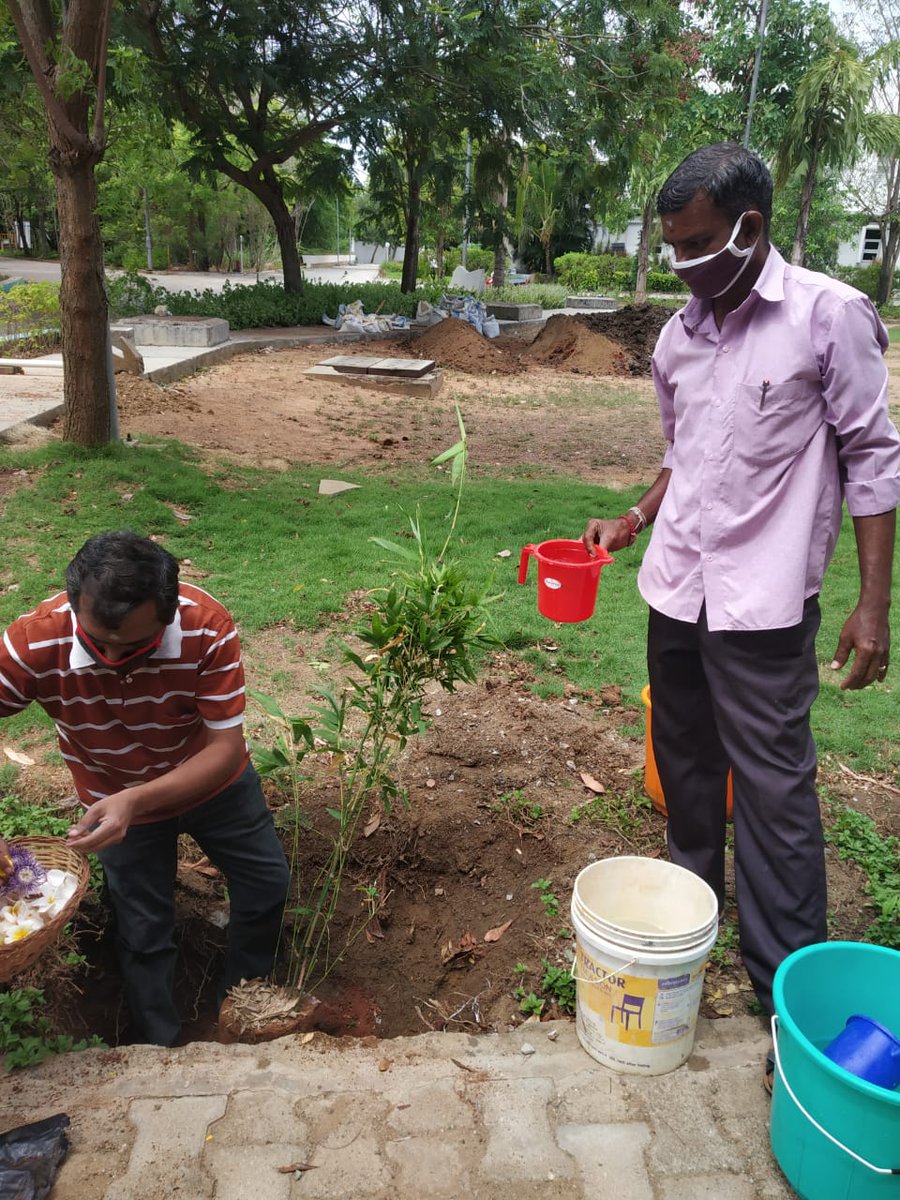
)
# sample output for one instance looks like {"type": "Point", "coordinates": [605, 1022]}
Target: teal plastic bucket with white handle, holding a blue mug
{"type": "Point", "coordinates": [835, 1136]}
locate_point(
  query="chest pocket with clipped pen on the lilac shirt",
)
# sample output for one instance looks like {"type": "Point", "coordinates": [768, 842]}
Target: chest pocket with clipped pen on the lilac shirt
{"type": "Point", "coordinates": [777, 423]}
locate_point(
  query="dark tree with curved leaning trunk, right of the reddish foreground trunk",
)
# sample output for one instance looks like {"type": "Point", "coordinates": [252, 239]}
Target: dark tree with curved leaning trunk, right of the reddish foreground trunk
{"type": "Point", "coordinates": [257, 83]}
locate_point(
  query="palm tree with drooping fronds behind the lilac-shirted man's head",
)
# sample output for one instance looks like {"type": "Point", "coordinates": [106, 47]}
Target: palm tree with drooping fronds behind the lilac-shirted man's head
{"type": "Point", "coordinates": [830, 124]}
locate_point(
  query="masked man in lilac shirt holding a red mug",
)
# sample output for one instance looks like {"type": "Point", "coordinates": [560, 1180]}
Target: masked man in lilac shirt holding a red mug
{"type": "Point", "coordinates": [773, 398]}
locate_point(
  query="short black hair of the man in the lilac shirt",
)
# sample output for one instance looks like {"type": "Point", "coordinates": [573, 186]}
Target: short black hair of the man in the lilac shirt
{"type": "Point", "coordinates": [733, 178]}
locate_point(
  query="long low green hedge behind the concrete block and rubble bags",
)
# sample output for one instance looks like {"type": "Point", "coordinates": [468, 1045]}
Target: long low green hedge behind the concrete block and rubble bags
{"type": "Point", "coordinates": [261, 305]}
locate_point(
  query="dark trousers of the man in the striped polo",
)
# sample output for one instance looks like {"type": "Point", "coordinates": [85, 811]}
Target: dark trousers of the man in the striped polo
{"type": "Point", "coordinates": [236, 831]}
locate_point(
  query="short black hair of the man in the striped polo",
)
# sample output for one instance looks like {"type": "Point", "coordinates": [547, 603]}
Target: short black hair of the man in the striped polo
{"type": "Point", "coordinates": [119, 572]}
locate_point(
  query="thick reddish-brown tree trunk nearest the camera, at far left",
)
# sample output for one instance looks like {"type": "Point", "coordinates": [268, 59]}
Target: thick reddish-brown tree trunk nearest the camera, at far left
{"type": "Point", "coordinates": [68, 57]}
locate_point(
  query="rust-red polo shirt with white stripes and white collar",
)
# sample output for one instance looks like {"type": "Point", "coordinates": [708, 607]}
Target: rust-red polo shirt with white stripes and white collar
{"type": "Point", "coordinates": [118, 729]}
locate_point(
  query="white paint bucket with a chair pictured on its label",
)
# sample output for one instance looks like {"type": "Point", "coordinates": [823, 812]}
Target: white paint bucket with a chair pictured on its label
{"type": "Point", "coordinates": [644, 931]}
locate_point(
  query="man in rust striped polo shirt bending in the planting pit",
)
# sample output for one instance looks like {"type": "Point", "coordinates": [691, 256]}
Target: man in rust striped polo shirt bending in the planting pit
{"type": "Point", "coordinates": [143, 679]}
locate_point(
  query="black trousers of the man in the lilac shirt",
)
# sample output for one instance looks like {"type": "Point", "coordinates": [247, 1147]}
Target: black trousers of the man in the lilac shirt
{"type": "Point", "coordinates": [743, 700]}
